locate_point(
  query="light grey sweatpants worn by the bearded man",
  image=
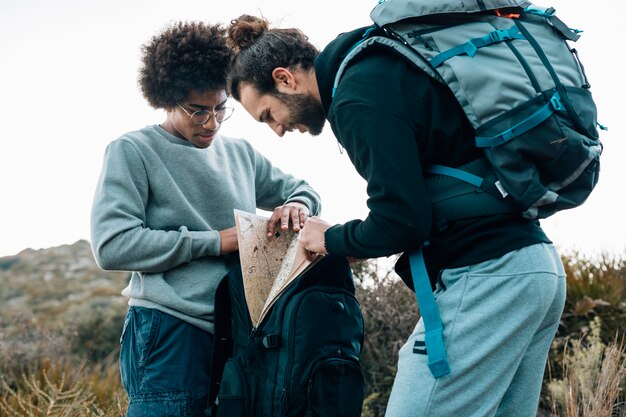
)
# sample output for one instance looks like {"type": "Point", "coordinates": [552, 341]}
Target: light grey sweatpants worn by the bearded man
{"type": "Point", "coordinates": [499, 319]}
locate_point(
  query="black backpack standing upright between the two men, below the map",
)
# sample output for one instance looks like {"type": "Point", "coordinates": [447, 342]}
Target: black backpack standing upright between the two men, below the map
{"type": "Point", "coordinates": [302, 359]}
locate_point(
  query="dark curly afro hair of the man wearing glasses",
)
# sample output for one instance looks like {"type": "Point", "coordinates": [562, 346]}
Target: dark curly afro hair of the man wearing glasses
{"type": "Point", "coordinates": [184, 57]}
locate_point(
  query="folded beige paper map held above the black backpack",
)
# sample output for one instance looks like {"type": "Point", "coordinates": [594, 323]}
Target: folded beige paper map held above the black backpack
{"type": "Point", "coordinates": [268, 264]}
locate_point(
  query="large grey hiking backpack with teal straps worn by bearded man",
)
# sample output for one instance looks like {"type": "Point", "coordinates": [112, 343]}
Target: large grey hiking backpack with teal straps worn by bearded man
{"type": "Point", "coordinates": [510, 66]}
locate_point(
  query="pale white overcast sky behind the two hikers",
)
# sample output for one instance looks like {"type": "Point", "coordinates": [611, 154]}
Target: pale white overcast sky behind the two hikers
{"type": "Point", "coordinates": [68, 87]}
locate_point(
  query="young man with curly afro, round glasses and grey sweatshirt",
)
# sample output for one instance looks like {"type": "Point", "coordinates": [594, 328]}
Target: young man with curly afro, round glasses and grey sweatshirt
{"type": "Point", "coordinates": [163, 209]}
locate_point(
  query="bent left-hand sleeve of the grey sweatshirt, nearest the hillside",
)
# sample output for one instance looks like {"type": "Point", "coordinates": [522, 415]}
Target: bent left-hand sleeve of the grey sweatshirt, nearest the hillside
{"type": "Point", "coordinates": [119, 236]}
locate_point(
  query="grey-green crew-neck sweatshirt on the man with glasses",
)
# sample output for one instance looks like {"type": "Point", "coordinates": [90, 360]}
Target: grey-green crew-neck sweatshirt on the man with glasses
{"type": "Point", "coordinates": [158, 207]}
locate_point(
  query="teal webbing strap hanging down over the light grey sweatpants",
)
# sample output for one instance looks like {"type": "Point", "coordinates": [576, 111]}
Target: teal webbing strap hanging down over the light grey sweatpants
{"type": "Point", "coordinates": [436, 351]}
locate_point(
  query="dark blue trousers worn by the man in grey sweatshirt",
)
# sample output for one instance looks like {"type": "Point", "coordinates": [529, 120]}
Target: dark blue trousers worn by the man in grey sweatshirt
{"type": "Point", "coordinates": [165, 365]}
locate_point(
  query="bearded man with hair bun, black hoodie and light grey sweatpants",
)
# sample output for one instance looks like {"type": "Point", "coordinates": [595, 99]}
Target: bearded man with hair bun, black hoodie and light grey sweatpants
{"type": "Point", "coordinates": [499, 282]}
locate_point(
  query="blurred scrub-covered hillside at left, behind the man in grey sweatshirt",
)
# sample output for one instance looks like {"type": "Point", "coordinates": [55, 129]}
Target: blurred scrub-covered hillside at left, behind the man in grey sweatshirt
{"type": "Point", "coordinates": [57, 301]}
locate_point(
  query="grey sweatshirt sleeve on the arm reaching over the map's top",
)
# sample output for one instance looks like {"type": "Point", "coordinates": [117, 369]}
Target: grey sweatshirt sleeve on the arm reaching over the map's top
{"type": "Point", "coordinates": [275, 188]}
